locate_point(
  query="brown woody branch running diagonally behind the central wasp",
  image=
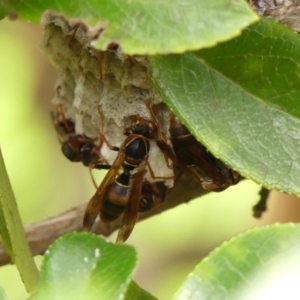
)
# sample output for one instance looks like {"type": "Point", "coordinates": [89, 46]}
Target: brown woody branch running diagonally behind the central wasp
{"type": "Point", "coordinates": [43, 233]}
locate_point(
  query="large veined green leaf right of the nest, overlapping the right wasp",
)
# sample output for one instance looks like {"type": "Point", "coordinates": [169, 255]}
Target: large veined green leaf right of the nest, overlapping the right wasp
{"type": "Point", "coordinates": [240, 99]}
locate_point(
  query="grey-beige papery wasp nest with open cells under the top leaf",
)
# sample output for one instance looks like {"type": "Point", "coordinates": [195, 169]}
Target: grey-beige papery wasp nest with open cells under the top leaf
{"type": "Point", "coordinates": [120, 94]}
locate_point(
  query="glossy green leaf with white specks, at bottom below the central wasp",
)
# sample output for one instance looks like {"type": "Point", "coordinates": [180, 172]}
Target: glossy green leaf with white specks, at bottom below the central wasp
{"type": "Point", "coordinates": [84, 266]}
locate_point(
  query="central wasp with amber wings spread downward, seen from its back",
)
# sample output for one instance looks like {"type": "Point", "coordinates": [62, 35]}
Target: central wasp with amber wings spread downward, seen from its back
{"type": "Point", "coordinates": [126, 191]}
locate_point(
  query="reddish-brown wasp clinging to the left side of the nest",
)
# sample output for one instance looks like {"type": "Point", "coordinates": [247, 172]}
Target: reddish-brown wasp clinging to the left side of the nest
{"type": "Point", "coordinates": [75, 147]}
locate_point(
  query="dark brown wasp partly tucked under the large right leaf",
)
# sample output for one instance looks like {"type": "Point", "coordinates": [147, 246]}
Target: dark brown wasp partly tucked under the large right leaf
{"type": "Point", "coordinates": [192, 157]}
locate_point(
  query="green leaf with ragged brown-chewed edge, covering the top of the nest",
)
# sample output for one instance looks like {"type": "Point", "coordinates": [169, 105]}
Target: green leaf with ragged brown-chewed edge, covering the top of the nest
{"type": "Point", "coordinates": [153, 26]}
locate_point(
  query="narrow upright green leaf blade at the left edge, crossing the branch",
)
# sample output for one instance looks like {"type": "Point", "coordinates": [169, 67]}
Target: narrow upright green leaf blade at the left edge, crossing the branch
{"type": "Point", "coordinates": [13, 234]}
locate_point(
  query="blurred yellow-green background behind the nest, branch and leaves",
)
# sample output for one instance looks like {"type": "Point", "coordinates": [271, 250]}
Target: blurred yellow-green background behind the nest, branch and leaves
{"type": "Point", "coordinates": [46, 183]}
